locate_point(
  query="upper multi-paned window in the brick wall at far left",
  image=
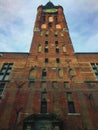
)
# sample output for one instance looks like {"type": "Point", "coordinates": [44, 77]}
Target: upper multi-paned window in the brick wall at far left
{"type": "Point", "coordinates": [5, 71]}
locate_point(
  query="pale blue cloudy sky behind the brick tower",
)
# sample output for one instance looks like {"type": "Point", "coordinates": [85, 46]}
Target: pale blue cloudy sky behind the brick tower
{"type": "Point", "coordinates": [17, 19]}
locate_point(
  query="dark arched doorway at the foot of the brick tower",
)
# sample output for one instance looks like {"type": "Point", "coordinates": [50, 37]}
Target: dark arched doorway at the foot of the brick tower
{"type": "Point", "coordinates": [46, 121]}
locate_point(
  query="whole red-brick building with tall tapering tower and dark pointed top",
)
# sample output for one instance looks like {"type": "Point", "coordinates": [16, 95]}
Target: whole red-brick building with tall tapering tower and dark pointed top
{"type": "Point", "coordinates": [51, 87]}
